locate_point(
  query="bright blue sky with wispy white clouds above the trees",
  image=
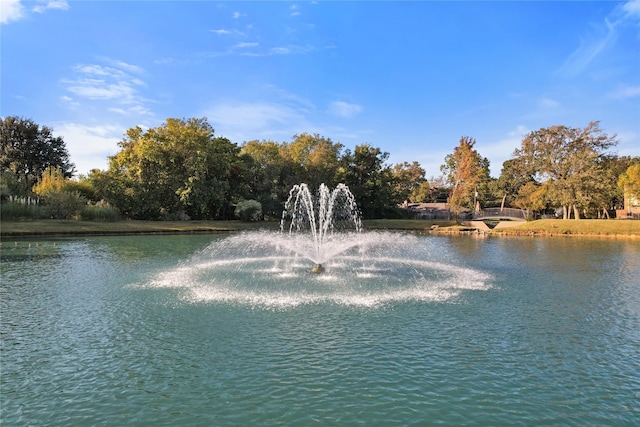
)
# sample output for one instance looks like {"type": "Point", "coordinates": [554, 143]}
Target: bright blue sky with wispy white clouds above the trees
{"type": "Point", "coordinates": [409, 77]}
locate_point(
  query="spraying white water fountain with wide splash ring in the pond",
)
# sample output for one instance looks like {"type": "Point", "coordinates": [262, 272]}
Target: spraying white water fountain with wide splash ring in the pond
{"type": "Point", "coordinates": [320, 234]}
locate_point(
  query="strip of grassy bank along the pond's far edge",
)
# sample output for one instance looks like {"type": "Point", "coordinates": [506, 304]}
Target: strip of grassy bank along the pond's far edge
{"type": "Point", "coordinates": [16, 229]}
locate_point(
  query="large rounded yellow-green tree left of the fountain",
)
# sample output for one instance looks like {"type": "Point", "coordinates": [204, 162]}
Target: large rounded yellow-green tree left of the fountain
{"type": "Point", "coordinates": [179, 168]}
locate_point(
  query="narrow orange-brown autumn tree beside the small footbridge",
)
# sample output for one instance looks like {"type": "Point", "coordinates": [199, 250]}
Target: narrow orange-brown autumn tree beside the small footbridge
{"type": "Point", "coordinates": [467, 173]}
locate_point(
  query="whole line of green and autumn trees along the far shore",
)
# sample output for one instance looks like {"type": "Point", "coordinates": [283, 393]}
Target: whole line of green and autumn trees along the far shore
{"type": "Point", "coordinates": [183, 170]}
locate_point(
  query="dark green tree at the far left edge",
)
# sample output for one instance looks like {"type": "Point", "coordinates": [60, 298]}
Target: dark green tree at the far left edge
{"type": "Point", "coordinates": [26, 151]}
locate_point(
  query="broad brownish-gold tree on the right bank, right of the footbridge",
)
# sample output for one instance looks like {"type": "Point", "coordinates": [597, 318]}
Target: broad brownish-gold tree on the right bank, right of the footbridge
{"type": "Point", "coordinates": [568, 161]}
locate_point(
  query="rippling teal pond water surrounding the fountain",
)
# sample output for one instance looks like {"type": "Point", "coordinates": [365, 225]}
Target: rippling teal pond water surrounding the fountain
{"type": "Point", "coordinates": [161, 330]}
